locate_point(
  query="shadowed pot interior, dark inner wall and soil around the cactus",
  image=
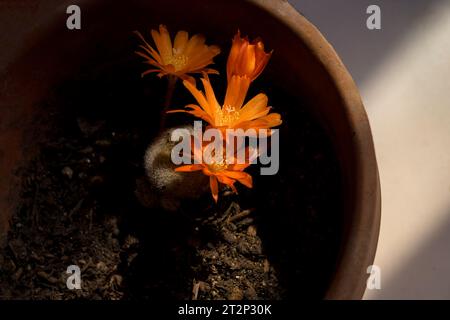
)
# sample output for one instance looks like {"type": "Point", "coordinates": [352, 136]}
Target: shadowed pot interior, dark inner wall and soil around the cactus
{"type": "Point", "coordinates": [78, 118]}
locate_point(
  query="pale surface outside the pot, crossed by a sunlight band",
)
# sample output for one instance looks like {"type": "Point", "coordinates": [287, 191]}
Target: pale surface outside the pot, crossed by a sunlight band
{"type": "Point", "coordinates": [403, 73]}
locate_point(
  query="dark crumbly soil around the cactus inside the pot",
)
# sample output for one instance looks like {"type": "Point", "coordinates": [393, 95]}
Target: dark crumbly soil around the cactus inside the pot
{"type": "Point", "coordinates": [279, 240]}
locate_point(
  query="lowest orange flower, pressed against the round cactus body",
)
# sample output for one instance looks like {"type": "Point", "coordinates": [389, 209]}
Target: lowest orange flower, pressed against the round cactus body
{"type": "Point", "coordinates": [225, 171]}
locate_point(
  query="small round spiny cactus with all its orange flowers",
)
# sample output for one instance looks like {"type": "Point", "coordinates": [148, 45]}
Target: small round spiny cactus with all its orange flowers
{"type": "Point", "coordinates": [167, 184]}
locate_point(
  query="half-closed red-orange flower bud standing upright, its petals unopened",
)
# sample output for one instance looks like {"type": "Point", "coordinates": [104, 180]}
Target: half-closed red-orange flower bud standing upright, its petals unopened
{"type": "Point", "coordinates": [246, 59]}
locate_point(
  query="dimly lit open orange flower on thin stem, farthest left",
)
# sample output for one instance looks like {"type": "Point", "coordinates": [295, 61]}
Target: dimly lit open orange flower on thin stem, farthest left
{"type": "Point", "coordinates": [183, 57]}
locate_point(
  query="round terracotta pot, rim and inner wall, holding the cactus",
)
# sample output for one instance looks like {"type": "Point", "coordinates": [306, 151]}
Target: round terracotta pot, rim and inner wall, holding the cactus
{"type": "Point", "coordinates": [304, 60]}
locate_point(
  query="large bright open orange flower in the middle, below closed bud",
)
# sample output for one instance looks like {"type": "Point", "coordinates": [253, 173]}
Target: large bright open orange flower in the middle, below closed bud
{"type": "Point", "coordinates": [233, 114]}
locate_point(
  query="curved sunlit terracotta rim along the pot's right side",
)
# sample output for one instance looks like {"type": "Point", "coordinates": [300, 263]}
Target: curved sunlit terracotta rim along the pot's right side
{"type": "Point", "coordinates": [360, 243]}
